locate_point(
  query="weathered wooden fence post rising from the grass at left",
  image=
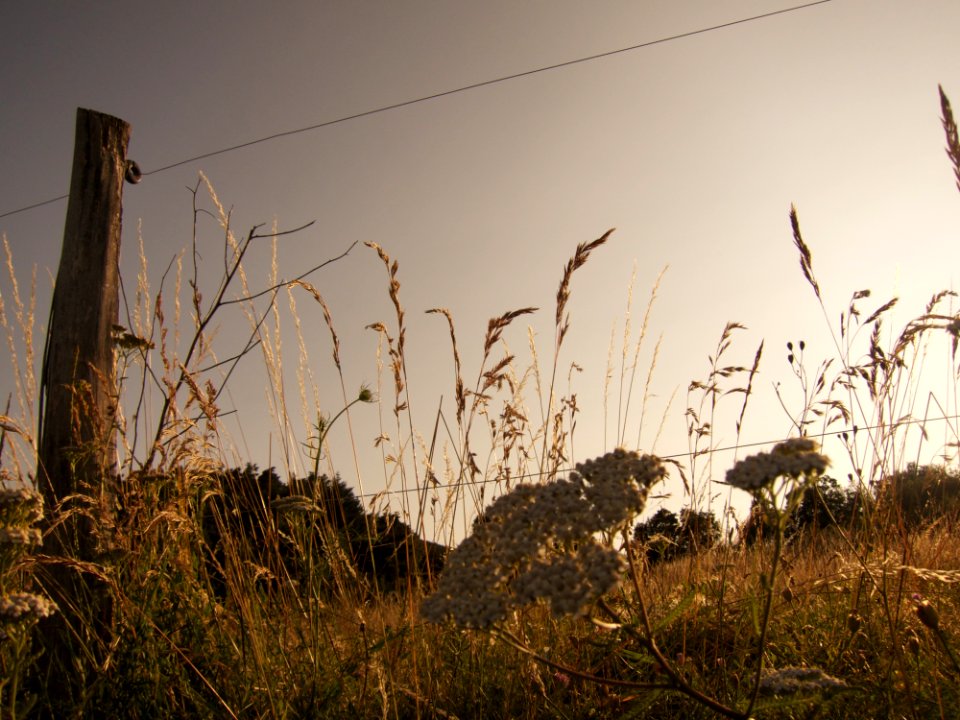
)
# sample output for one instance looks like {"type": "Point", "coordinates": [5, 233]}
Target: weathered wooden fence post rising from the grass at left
{"type": "Point", "coordinates": [78, 401]}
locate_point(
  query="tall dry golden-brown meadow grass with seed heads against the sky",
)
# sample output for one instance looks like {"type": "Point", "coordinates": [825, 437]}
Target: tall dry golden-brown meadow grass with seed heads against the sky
{"type": "Point", "coordinates": [179, 610]}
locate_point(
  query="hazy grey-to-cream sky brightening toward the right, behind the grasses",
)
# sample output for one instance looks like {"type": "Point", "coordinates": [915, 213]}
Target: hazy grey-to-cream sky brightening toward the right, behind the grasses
{"type": "Point", "coordinates": [693, 149]}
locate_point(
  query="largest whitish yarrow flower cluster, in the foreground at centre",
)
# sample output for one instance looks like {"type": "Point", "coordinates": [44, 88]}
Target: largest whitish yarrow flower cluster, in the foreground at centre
{"type": "Point", "coordinates": [536, 543]}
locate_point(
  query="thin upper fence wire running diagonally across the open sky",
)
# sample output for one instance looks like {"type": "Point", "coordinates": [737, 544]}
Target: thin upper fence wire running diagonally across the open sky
{"type": "Point", "coordinates": [447, 93]}
